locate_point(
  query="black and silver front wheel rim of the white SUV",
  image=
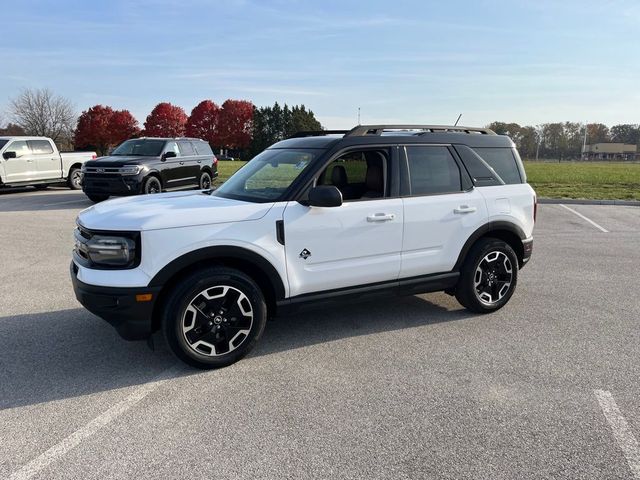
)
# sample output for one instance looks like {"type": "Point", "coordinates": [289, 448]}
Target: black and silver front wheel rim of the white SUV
{"type": "Point", "coordinates": [217, 321]}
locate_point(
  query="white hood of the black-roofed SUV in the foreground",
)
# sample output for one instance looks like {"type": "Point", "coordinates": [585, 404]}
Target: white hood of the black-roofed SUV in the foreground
{"type": "Point", "coordinates": [169, 210]}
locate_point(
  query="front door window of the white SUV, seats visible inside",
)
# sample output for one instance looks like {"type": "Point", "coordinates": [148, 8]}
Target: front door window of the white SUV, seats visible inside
{"type": "Point", "coordinates": [359, 175]}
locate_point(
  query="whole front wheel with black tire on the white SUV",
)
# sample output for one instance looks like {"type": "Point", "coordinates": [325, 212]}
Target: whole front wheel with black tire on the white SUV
{"type": "Point", "coordinates": [214, 317]}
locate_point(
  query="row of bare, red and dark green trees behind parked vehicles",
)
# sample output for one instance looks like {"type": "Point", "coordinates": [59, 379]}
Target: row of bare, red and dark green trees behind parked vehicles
{"type": "Point", "coordinates": [237, 126]}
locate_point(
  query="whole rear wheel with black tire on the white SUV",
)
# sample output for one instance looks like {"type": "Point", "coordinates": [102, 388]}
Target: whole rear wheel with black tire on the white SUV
{"type": "Point", "coordinates": [489, 276]}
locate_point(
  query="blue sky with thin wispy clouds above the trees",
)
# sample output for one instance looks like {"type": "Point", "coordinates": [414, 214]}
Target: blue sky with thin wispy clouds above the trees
{"type": "Point", "coordinates": [529, 61]}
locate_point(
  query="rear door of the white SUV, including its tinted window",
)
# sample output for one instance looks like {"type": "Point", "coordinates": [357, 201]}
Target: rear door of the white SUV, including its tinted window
{"type": "Point", "coordinates": [441, 210]}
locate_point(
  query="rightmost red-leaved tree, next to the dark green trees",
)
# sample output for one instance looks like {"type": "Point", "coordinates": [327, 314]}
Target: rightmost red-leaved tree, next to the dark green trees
{"type": "Point", "coordinates": [234, 124]}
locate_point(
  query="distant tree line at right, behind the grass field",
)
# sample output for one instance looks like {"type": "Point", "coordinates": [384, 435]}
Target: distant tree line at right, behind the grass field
{"type": "Point", "coordinates": [564, 140]}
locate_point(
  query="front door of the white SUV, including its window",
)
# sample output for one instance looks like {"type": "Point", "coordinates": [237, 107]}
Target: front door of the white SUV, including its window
{"type": "Point", "coordinates": [357, 243]}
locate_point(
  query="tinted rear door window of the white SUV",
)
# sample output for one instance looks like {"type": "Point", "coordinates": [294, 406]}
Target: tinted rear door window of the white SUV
{"type": "Point", "coordinates": [432, 170]}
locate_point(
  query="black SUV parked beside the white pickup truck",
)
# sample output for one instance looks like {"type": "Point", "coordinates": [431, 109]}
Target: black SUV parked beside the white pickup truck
{"type": "Point", "coordinates": [150, 165]}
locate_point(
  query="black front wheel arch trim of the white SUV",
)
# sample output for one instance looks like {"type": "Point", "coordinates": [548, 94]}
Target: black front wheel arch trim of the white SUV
{"type": "Point", "coordinates": [252, 264]}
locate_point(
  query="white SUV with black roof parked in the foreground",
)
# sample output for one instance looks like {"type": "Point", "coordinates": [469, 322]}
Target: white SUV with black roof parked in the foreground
{"type": "Point", "coordinates": [315, 218]}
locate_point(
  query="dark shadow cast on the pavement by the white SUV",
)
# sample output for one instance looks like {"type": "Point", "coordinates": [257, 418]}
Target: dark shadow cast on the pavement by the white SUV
{"type": "Point", "coordinates": [69, 353]}
